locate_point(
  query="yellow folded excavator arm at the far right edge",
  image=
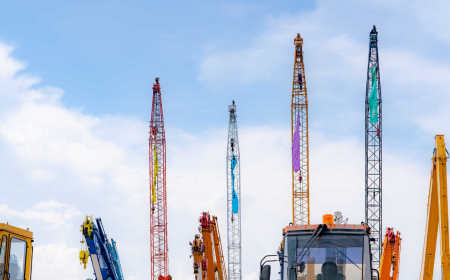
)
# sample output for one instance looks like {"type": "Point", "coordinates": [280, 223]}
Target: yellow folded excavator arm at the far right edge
{"type": "Point", "coordinates": [437, 215]}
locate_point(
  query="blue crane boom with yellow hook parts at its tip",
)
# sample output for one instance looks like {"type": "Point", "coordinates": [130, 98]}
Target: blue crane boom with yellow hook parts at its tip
{"type": "Point", "coordinates": [104, 255]}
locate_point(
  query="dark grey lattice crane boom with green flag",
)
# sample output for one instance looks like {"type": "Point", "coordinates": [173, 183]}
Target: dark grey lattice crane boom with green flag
{"type": "Point", "coordinates": [373, 154]}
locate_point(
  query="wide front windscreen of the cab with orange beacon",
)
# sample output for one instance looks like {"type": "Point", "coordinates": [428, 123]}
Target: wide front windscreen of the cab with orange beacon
{"type": "Point", "coordinates": [330, 257]}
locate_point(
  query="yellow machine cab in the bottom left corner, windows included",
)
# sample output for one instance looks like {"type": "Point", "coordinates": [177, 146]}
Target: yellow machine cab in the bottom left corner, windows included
{"type": "Point", "coordinates": [16, 252]}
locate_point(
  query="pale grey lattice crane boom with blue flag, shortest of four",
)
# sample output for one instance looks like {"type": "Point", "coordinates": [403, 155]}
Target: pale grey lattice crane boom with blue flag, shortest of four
{"type": "Point", "coordinates": [233, 219]}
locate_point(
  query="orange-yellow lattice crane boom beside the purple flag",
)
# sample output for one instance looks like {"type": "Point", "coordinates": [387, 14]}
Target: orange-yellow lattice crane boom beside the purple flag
{"type": "Point", "coordinates": [299, 109]}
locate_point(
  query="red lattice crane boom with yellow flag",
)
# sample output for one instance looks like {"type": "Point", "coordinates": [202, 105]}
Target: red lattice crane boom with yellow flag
{"type": "Point", "coordinates": [158, 213]}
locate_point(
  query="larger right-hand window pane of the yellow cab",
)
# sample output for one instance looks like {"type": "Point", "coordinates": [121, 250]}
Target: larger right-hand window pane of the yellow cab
{"type": "Point", "coordinates": [17, 259]}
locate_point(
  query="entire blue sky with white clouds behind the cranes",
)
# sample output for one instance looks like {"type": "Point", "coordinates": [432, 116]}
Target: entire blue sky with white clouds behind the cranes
{"type": "Point", "coordinates": [75, 84]}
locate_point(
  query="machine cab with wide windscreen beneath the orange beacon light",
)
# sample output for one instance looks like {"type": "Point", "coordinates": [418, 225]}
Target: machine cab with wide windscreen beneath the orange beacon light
{"type": "Point", "coordinates": [326, 252]}
